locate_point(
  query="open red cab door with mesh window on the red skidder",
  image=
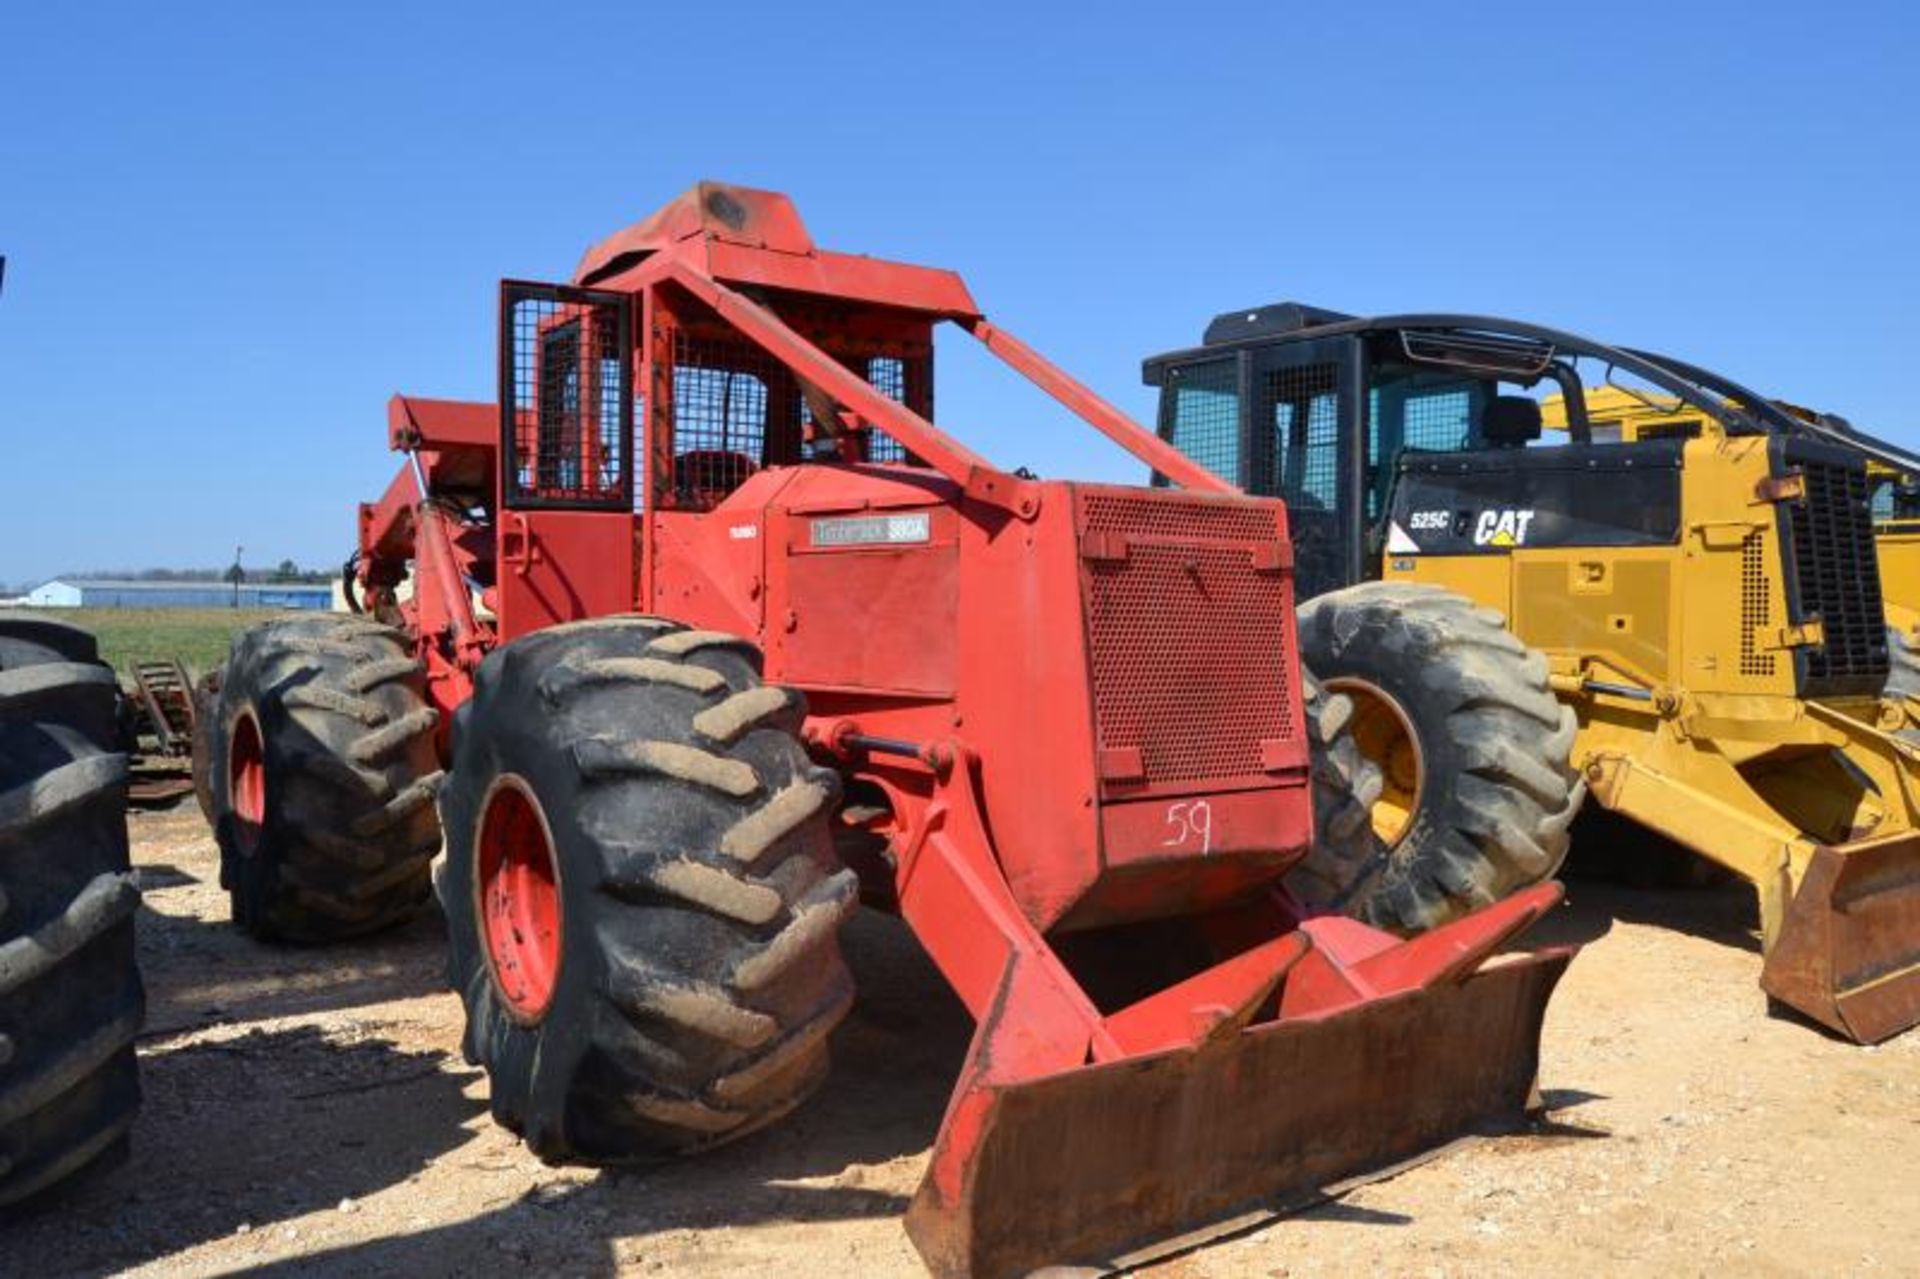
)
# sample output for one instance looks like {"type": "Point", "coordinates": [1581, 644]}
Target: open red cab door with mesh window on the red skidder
{"type": "Point", "coordinates": [567, 471]}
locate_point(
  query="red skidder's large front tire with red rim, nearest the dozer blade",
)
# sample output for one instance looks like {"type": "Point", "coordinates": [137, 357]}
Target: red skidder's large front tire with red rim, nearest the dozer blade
{"type": "Point", "coordinates": [642, 892]}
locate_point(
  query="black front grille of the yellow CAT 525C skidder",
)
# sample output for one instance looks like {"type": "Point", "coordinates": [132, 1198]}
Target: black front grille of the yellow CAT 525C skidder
{"type": "Point", "coordinates": [1838, 573]}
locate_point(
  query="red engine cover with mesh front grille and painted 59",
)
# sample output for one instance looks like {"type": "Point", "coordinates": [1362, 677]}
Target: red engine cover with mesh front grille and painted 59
{"type": "Point", "coordinates": [1122, 667]}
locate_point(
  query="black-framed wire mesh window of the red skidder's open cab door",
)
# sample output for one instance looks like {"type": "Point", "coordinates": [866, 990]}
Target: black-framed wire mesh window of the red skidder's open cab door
{"type": "Point", "coordinates": [565, 397]}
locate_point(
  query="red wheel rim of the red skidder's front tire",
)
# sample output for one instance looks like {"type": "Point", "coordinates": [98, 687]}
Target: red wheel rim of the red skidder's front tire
{"type": "Point", "coordinates": [519, 900]}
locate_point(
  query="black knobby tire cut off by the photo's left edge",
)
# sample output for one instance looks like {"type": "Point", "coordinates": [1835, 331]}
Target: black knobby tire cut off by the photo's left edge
{"type": "Point", "coordinates": [70, 992]}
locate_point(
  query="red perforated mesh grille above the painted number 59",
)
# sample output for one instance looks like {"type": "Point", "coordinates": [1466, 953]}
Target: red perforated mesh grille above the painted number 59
{"type": "Point", "coordinates": [1189, 644]}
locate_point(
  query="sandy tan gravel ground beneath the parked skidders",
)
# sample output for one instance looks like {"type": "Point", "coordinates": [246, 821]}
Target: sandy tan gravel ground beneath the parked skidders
{"type": "Point", "coordinates": [308, 1115]}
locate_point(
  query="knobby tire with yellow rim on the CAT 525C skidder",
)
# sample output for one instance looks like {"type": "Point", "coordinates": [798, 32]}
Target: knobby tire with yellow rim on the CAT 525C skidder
{"type": "Point", "coordinates": [1476, 750]}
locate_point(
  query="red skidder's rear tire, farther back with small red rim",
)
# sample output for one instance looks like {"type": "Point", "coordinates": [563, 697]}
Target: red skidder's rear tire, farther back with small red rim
{"type": "Point", "coordinates": [324, 775]}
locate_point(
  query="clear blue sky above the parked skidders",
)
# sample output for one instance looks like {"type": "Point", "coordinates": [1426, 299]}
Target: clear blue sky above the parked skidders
{"type": "Point", "coordinates": [233, 231]}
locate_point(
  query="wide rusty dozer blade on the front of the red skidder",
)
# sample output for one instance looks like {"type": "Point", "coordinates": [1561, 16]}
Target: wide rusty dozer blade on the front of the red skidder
{"type": "Point", "coordinates": [1381, 1050]}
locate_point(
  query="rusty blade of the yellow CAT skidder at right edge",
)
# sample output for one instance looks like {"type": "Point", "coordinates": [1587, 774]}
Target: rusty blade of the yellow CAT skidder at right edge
{"type": "Point", "coordinates": [1848, 953]}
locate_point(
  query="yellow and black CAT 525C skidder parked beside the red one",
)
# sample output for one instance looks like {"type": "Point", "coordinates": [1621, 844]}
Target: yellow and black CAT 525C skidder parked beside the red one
{"type": "Point", "coordinates": [1702, 606]}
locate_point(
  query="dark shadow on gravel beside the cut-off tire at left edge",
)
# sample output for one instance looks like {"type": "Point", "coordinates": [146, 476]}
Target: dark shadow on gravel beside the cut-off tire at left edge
{"type": "Point", "coordinates": [228, 1140]}
